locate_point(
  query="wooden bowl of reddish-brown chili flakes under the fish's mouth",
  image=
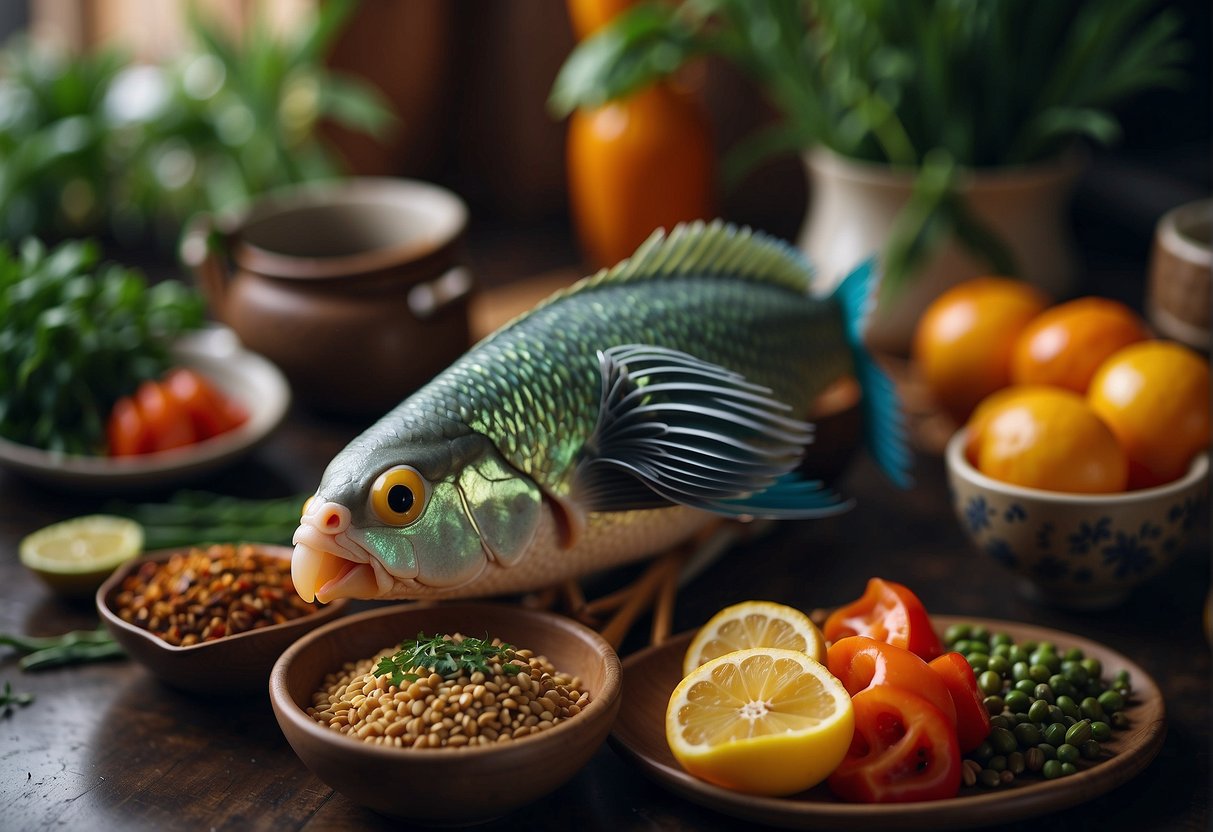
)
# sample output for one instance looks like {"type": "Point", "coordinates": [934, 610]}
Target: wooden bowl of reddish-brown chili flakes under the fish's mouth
{"type": "Point", "coordinates": [213, 619]}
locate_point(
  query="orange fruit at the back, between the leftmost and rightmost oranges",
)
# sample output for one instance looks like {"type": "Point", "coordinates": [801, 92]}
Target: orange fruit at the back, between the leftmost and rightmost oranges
{"type": "Point", "coordinates": [1066, 345]}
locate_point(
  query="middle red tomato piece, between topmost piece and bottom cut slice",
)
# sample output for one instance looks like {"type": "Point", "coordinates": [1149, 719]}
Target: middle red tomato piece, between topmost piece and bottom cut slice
{"type": "Point", "coordinates": [862, 663]}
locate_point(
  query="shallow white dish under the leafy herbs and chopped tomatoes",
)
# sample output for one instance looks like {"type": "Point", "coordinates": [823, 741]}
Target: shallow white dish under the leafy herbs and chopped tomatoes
{"type": "Point", "coordinates": [249, 379]}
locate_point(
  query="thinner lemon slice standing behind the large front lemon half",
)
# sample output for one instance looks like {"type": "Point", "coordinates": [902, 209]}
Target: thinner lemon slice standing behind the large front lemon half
{"type": "Point", "coordinates": [755, 624]}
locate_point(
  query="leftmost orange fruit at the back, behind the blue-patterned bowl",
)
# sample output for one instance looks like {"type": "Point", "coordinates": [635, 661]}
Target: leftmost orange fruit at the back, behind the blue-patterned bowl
{"type": "Point", "coordinates": [964, 341]}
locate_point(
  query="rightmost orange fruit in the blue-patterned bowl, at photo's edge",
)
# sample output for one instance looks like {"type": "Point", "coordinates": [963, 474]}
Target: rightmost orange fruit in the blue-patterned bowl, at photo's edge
{"type": "Point", "coordinates": [1155, 397]}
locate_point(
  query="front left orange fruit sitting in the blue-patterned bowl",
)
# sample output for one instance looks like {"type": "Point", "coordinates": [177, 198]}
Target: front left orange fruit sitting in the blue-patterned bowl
{"type": "Point", "coordinates": [1050, 438]}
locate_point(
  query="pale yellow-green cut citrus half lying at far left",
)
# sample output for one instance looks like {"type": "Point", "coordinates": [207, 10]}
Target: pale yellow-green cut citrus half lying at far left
{"type": "Point", "coordinates": [76, 557]}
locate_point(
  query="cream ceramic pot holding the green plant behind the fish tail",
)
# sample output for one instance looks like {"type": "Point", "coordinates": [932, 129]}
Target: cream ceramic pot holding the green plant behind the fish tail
{"type": "Point", "coordinates": [853, 207]}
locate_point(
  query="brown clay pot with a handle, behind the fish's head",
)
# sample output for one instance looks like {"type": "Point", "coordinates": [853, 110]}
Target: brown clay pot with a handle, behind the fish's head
{"type": "Point", "coordinates": [356, 289]}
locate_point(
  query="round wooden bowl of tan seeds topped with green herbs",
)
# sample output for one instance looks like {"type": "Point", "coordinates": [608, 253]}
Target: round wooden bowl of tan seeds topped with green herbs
{"type": "Point", "coordinates": [447, 714]}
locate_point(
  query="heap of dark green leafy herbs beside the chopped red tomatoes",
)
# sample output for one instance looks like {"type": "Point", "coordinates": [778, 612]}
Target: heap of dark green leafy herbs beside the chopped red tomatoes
{"type": "Point", "coordinates": [75, 338]}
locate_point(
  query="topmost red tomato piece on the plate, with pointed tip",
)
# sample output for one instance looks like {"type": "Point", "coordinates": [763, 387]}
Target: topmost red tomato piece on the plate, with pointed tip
{"type": "Point", "coordinates": [891, 613]}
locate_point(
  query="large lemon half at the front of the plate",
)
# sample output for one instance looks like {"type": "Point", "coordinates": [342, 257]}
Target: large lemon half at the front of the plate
{"type": "Point", "coordinates": [761, 721]}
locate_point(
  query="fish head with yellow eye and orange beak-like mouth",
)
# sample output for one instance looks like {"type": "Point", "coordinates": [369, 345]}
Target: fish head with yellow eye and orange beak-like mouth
{"type": "Point", "coordinates": [413, 521]}
